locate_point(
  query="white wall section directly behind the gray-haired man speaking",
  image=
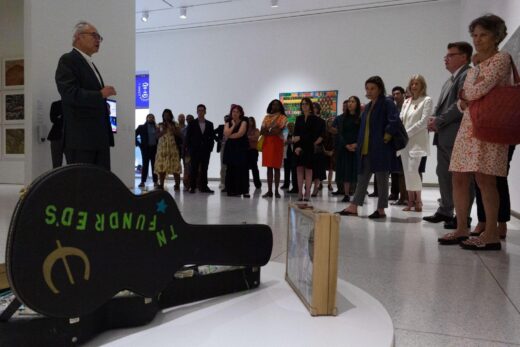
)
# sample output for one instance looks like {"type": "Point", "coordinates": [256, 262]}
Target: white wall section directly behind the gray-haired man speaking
{"type": "Point", "coordinates": [48, 34]}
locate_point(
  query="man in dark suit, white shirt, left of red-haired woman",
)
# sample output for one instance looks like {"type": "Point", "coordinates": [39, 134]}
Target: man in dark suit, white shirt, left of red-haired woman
{"type": "Point", "coordinates": [200, 139]}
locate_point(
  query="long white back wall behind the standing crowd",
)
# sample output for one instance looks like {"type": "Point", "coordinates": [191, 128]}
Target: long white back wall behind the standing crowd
{"type": "Point", "coordinates": [250, 64]}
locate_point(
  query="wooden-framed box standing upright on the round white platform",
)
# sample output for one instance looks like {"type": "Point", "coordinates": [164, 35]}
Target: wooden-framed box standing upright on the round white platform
{"type": "Point", "coordinates": [312, 258]}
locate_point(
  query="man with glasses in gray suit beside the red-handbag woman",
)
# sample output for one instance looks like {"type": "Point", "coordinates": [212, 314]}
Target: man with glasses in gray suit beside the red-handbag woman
{"type": "Point", "coordinates": [446, 122]}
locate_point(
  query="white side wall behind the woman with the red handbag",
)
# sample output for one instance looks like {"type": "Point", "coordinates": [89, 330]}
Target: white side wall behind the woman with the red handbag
{"type": "Point", "coordinates": [509, 10]}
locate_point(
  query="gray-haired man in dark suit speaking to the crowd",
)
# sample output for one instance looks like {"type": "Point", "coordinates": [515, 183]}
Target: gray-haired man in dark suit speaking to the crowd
{"type": "Point", "coordinates": [87, 131]}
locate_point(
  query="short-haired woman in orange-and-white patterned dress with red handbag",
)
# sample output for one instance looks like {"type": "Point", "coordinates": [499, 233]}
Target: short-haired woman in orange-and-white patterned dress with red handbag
{"type": "Point", "coordinates": [471, 156]}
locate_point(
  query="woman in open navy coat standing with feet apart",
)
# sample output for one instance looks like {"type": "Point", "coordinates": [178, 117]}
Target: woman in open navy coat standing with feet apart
{"type": "Point", "coordinates": [375, 152]}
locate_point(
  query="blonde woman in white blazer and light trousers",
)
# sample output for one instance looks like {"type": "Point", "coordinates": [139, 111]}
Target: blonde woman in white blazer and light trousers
{"type": "Point", "coordinates": [414, 114]}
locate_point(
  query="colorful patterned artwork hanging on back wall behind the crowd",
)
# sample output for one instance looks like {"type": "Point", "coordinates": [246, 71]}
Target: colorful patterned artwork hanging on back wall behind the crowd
{"type": "Point", "coordinates": [328, 101]}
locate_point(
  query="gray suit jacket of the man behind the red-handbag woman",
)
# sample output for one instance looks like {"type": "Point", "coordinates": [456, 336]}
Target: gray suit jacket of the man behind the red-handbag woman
{"type": "Point", "coordinates": [448, 116]}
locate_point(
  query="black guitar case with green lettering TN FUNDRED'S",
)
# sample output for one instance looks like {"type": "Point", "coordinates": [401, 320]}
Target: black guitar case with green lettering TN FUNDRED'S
{"type": "Point", "coordinates": [78, 237]}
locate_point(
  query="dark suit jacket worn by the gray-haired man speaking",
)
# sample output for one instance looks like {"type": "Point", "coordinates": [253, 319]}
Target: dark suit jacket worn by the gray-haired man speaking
{"type": "Point", "coordinates": [86, 120]}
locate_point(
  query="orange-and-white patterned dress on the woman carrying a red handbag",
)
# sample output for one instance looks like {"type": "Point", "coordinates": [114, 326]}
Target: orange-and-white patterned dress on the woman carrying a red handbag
{"type": "Point", "coordinates": [469, 153]}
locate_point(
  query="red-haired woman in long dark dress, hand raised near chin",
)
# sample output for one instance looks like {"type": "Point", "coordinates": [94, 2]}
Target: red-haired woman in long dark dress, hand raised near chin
{"type": "Point", "coordinates": [235, 153]}
